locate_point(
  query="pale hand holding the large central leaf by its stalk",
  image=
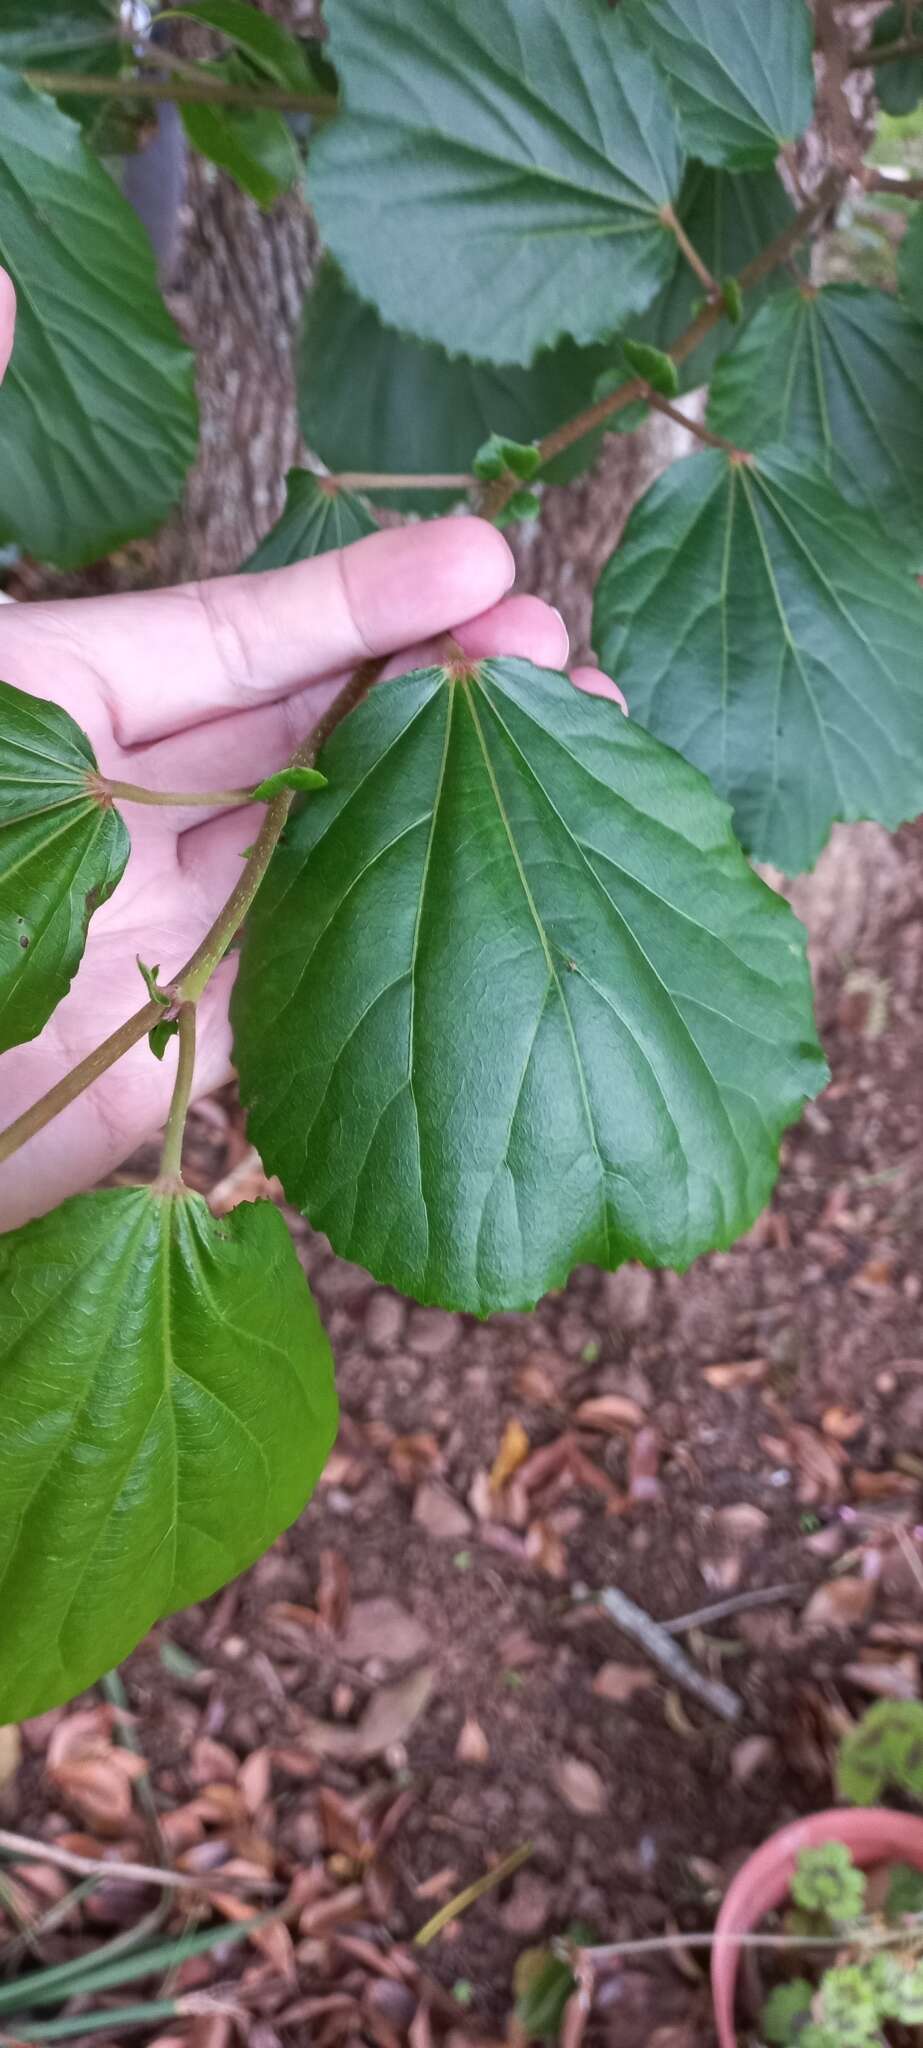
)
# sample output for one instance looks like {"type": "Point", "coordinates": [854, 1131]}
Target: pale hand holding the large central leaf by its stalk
{"type": "Point", "coordinates": [212, 687]}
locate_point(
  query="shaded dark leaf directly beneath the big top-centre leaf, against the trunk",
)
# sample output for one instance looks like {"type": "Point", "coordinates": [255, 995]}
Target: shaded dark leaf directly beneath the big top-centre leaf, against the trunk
{"type": "Point", "coordinates": [378, 400]}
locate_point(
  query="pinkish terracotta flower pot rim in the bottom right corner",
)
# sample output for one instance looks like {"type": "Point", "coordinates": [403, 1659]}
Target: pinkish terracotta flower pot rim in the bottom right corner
{"type": "Point", "coordinates": [873, 1836]}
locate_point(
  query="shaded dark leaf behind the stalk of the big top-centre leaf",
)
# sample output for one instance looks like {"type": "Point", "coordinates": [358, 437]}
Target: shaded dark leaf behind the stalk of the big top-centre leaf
{"type": "Point", "coordinates": [730, 222]}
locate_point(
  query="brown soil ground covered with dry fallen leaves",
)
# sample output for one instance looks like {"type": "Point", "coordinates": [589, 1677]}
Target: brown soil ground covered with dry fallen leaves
{"type": "Point", "coordinates": [412, 1682]}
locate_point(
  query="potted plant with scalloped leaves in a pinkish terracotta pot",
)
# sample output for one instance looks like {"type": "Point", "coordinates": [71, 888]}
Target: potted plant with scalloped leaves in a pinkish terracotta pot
{"type": "Point", "coordinates": [848, 1955]}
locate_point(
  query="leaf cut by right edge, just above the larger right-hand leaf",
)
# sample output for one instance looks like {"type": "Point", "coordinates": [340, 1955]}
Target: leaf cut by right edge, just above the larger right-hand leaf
{"type": "Point", "coordinates": [838, 376]}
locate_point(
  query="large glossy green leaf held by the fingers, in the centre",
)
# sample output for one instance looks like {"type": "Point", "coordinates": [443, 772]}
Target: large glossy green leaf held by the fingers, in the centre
{"type": "Point", "coordinates": [513, 1000]}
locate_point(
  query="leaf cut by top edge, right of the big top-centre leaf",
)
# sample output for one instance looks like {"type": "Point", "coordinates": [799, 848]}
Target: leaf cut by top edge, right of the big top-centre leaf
{"type": "Point", "coordinates": [742, 77]}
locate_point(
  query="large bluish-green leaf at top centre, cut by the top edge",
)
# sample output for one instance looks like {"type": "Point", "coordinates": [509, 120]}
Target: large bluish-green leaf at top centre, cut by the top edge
{"type": "Point", "coordinates": [500, 169]}
